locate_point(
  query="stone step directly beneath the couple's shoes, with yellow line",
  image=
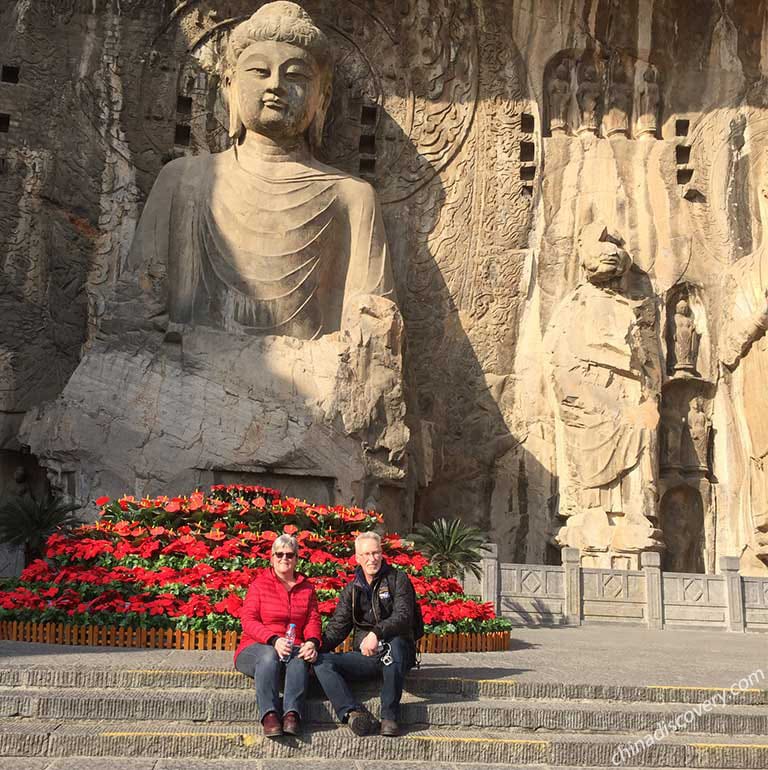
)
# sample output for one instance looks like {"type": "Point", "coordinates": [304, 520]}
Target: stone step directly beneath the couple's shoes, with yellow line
{"type": "Point", "coordinates": [54, 738]}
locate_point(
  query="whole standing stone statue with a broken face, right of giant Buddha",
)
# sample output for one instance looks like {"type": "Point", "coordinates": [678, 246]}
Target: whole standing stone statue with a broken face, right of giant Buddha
{"type": "Point", "coordinates": [605, 369]}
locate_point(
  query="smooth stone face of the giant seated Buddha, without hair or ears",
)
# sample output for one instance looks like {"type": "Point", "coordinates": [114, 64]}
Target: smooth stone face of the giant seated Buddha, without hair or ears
{"type": "Point", "coordinates": [278, 89]}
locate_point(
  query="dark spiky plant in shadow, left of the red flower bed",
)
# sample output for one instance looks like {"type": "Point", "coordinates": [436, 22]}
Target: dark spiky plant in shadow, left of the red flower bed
{"type": "Point", "coordinates": [27, 522]}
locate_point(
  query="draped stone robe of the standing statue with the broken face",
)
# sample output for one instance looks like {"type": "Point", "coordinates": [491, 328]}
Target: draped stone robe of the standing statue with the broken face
{"type": "Point", "coordinates": [605, 423]}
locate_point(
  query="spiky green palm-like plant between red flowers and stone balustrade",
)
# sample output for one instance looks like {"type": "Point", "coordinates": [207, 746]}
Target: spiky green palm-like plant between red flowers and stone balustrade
{"type": "Point", "coordinates": [451, 546]}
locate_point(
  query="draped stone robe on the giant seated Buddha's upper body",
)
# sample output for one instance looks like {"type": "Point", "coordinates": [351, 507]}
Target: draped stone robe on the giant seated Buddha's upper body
{"type": "Point", "coordinates": [279, 247]}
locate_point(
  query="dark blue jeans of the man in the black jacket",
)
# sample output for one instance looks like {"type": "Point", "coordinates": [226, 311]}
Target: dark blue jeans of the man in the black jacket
{"type": "Point", "coordinates": [333, 670]}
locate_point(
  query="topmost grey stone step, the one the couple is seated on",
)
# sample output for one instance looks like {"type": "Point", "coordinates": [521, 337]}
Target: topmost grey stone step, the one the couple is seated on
{"type": "Point", "coordinates": [418, 682]}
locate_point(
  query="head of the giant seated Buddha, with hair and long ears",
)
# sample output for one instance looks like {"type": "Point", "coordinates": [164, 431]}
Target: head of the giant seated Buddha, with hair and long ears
{"type": "Point", "coordinates": [279, 72]}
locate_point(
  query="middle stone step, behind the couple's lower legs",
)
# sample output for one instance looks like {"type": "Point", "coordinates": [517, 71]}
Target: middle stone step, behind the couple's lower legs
{"type": "Point", "coordinates": [437, 711]}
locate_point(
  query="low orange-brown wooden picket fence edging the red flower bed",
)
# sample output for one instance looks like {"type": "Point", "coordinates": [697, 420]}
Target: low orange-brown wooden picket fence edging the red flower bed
{"type": "Point", "coordinates": [170, 639]}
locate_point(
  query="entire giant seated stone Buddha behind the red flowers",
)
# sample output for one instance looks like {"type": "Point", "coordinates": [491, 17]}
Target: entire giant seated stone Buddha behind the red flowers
{"type": "Point", "coordinates": [253, 334]}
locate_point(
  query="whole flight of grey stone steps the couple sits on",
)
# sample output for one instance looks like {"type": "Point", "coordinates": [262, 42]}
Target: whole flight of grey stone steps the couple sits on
{"type": "Point", "coordinates": [159, 719]}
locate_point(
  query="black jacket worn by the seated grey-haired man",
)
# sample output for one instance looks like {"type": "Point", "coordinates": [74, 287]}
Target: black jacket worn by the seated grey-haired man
{"type": "Point", "coordinates": [387, 608]}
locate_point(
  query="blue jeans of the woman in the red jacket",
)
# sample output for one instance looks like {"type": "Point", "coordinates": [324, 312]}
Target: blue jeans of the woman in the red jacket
{"type": "Point", "coordinates": [260, 662]}
